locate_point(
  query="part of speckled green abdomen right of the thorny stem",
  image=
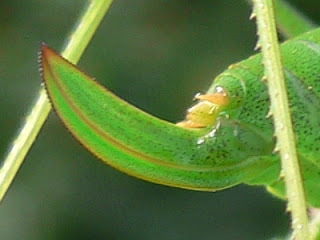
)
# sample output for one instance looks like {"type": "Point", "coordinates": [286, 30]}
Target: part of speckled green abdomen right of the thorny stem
{"type": "Point", "coordinates": [303, 79]}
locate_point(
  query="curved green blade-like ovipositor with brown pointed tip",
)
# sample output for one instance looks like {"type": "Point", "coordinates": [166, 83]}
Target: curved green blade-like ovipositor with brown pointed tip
{"type": "Point", "coordinates": [141, 145]}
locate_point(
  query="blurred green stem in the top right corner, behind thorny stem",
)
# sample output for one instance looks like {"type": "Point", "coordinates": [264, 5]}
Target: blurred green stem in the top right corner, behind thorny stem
{"type": "Point", "coordinates": [291, 22]}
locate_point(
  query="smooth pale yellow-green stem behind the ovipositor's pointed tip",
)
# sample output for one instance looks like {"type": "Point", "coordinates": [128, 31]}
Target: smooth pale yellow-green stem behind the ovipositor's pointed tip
{"type": "Point", "coordinates": [77, 43]}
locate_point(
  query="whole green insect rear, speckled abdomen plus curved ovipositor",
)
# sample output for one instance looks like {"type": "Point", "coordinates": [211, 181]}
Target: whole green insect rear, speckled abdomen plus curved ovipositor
{"type": "Point", "coordinates": [226, 138]}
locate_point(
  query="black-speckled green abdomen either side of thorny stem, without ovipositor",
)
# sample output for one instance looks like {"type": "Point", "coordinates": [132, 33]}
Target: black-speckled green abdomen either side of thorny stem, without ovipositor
{"type": "Point", "coordinates": [301, 57]}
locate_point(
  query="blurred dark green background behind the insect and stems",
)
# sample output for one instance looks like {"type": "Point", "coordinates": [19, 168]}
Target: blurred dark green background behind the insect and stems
{"type": "Point", "coordinates": [155, 54]}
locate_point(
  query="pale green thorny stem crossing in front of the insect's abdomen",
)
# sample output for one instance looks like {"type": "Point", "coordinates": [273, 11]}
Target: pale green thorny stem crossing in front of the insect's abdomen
{"type": "Point", "coordinates": [268, 39]}
